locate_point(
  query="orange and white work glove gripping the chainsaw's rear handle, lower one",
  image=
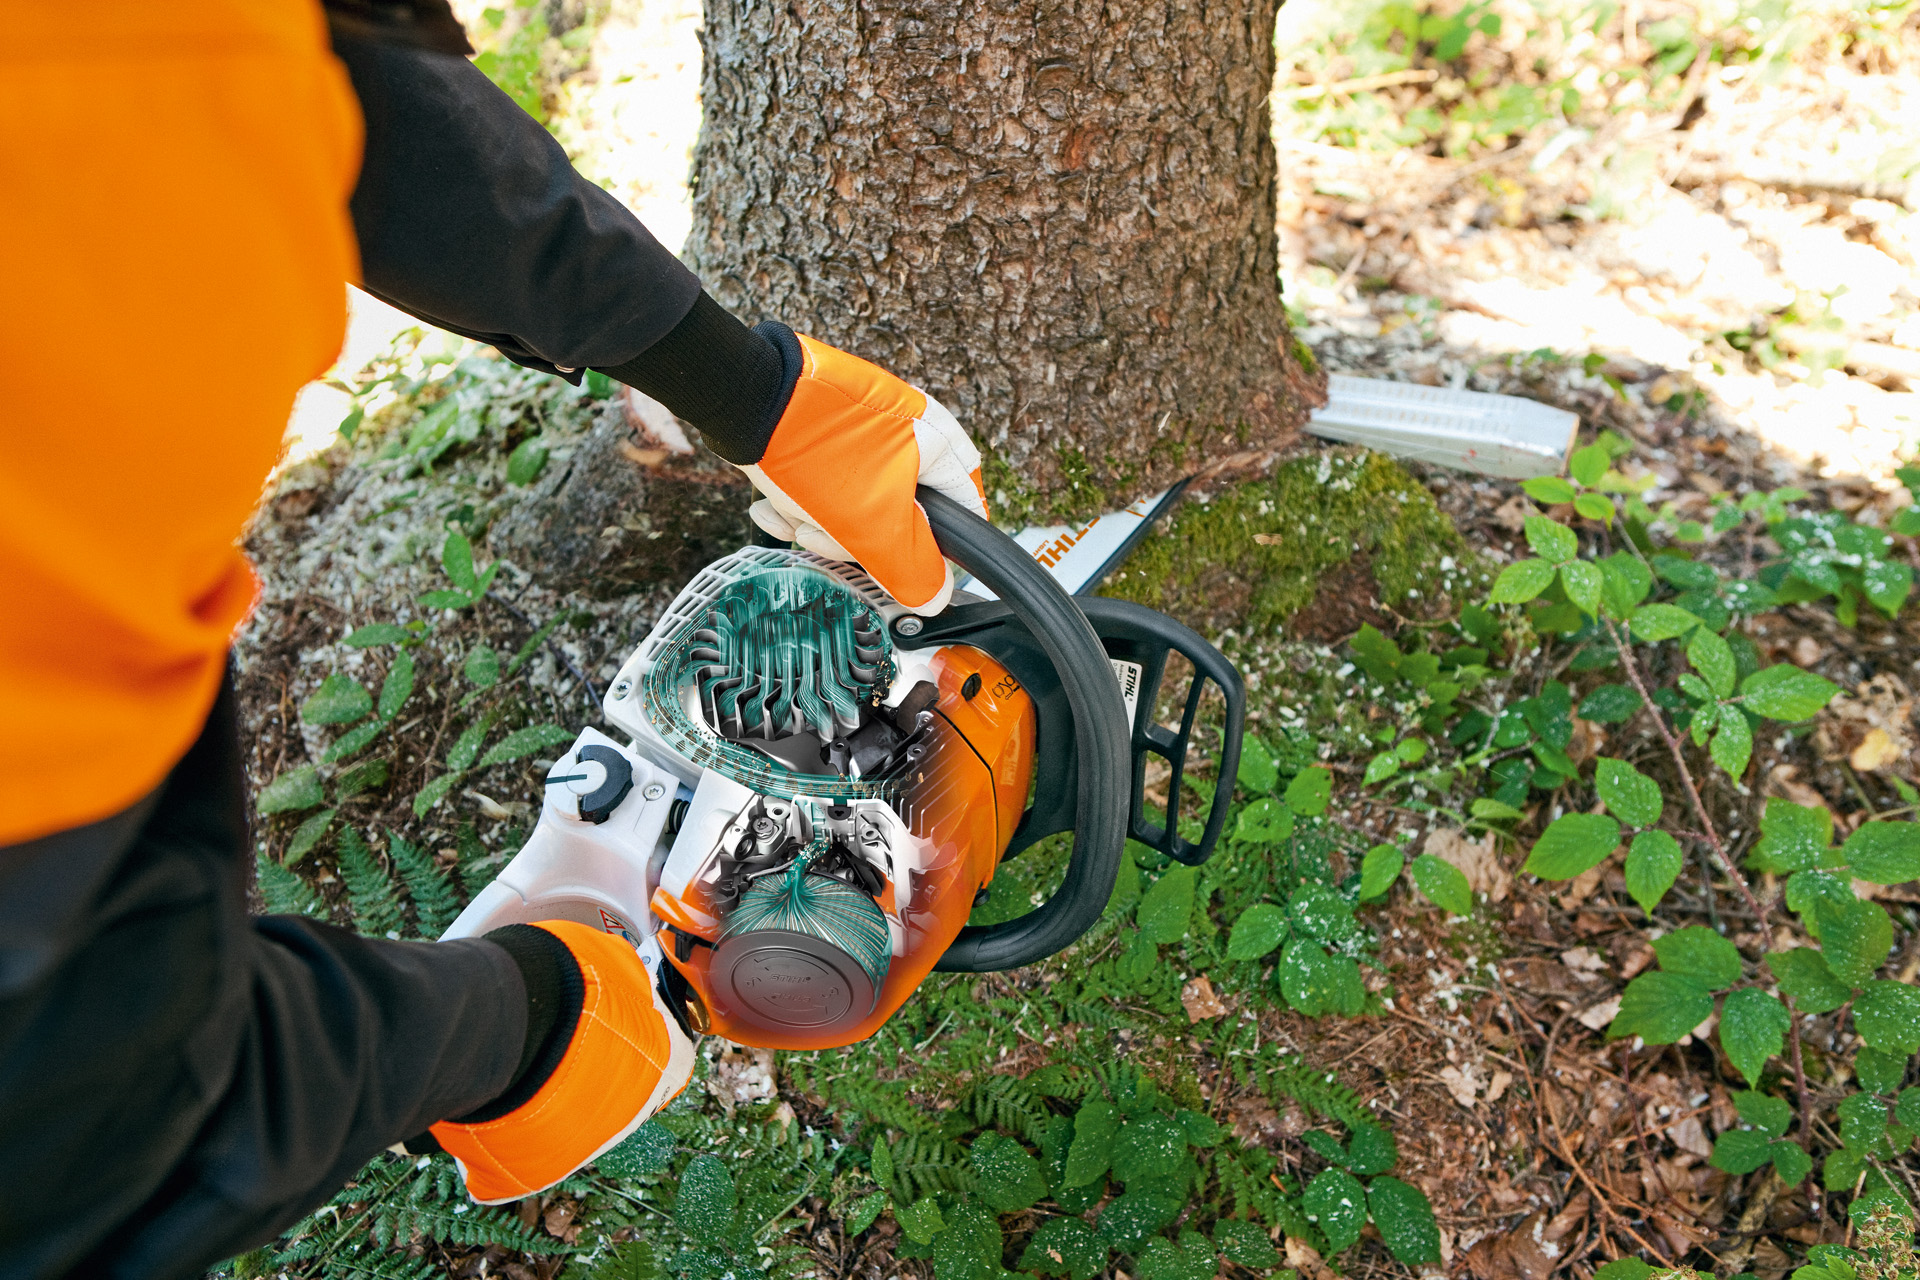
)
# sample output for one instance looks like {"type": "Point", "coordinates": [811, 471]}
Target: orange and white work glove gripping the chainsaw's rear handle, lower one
{"type": "Point", "coordinates": [619, 1060]}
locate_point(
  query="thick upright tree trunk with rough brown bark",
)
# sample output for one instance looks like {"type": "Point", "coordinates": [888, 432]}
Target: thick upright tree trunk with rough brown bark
{"type": "Point", "coordinates": [1057, 218]}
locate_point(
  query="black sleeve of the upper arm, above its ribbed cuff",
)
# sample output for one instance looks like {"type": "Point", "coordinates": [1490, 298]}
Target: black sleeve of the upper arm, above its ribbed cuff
{"type": "Point", "coordinates": [469, 216]}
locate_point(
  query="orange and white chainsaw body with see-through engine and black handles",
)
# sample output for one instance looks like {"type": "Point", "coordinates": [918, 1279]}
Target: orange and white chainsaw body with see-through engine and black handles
{"type": "Point", "coordinates": [817, 786]}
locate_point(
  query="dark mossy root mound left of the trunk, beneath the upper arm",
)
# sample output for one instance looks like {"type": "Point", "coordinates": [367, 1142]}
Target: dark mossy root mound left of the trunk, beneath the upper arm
{"type": "Point", "coordinates": [635, 506]}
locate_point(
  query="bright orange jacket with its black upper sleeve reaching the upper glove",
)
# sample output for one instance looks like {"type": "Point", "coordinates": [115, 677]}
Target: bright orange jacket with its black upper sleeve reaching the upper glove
{"type": "Point", "coordinates": [180, 214]}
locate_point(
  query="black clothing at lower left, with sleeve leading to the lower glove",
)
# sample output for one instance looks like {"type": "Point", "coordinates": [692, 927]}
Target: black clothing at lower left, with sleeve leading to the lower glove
{"type": "Point", "coordinates": [180, 1081]}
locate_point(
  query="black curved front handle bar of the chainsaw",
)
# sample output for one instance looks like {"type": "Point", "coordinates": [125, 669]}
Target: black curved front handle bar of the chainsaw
{"type": "Point", "coordinates": [1101, 742]}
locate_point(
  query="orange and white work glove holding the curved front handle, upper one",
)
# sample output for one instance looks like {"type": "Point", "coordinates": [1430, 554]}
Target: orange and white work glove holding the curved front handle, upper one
{"type": "Point", "coordinates": [842, 465]}
